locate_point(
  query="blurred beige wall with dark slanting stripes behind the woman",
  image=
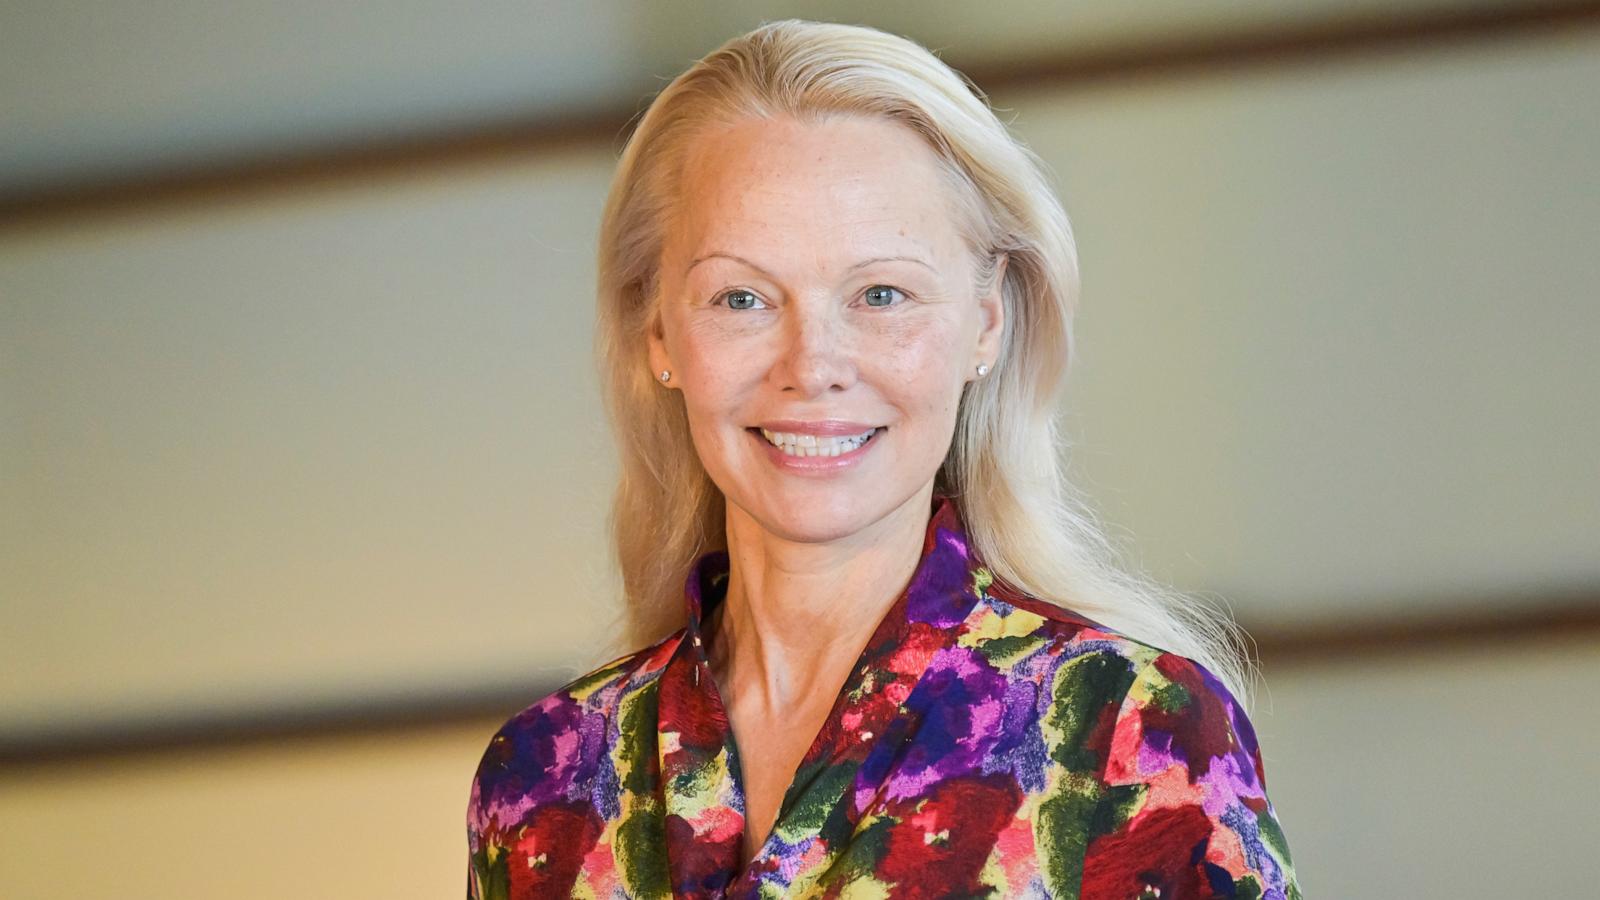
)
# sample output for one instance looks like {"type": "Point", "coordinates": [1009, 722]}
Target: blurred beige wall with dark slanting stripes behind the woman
{"type": "Point", "coordinates": [303, 472]}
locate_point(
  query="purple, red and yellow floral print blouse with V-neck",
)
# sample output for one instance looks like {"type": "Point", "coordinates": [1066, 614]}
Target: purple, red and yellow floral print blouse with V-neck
{"type": "Point", "coordinates": [985, 745]}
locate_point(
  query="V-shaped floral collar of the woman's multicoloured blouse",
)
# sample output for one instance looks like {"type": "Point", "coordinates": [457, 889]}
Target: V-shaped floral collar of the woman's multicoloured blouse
{"type": "Point", "coordinates": [874, 712]}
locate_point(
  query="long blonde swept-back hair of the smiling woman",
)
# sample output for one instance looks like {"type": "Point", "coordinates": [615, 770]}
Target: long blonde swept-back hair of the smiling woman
{"type": "Point", "coordinates": [1025, 520]}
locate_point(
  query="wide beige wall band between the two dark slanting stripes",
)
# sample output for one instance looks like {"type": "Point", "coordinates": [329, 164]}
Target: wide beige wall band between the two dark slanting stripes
{"type": "Point", "coordinates": [300, 448]}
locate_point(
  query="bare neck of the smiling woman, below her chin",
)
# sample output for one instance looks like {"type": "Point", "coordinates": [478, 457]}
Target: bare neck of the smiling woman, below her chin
{"type": "Point", "coordinates": [799, 614]}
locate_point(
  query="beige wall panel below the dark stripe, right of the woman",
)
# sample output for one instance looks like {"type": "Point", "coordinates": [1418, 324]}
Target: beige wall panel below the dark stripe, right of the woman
{"type": "Point", "coordinates": [1455, 774]}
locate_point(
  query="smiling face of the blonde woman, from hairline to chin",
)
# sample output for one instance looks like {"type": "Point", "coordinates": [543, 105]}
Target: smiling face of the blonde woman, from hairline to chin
{"type": "Point", "coordinates": [820, 315]}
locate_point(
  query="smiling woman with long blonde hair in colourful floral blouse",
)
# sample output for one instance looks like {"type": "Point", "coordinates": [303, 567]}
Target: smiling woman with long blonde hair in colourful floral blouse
{"type": "Point", "coordinates": [836, 310]}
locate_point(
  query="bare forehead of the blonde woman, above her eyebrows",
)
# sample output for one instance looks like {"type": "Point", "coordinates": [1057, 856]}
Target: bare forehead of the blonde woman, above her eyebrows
{"type": "Point", "coordinates": [836, 190]}
